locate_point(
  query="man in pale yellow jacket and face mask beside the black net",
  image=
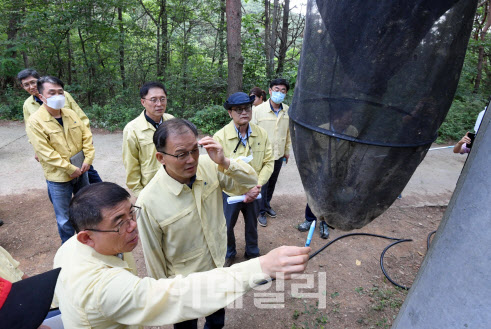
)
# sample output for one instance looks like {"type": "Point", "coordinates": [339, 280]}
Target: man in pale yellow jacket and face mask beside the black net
{"type": "Point", "coordinates": [273, 117]}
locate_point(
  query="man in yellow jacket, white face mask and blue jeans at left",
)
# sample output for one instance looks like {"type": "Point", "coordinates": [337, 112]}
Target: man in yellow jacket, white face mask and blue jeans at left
{"type": "Point", "coordinates": [58, 135]}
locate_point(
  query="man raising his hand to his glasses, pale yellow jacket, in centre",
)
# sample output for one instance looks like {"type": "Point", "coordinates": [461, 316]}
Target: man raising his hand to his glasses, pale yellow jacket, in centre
{"type": "Point", "coordinates": [183, 229]}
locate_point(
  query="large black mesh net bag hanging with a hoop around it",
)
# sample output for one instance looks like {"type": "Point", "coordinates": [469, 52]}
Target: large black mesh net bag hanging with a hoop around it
{"type": "Point", "coordinates": [375, 82]}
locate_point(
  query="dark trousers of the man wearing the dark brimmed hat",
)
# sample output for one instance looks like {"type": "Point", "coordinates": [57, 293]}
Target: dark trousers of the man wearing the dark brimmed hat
{"type": "Point", "coordinates": [250, 212]}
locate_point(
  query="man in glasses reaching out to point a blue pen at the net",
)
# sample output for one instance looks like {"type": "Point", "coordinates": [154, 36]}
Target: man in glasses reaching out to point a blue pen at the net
{"type": "Point", "coordinates": [98, 287]}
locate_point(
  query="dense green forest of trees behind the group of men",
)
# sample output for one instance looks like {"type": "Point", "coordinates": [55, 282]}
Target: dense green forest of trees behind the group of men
{"type": "Point", "coordinates": [104, 50]}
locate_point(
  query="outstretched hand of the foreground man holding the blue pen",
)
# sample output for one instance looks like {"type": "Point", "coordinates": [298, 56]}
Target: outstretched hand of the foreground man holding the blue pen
{"type": "Point", "coordinates": [287, 260]}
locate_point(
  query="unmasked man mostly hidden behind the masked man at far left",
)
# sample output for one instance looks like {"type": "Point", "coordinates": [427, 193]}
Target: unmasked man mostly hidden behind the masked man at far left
{"type": "Point", "coordinates": [28, 79]}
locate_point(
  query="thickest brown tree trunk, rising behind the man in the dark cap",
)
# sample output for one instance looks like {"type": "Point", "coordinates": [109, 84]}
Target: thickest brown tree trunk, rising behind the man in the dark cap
{"type": "Point", "coordinates": [234, 51]}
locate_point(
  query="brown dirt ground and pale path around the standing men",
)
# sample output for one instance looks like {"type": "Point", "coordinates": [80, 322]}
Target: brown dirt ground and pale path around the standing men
{"type": "Point", "coordinates": [351, 291]}
